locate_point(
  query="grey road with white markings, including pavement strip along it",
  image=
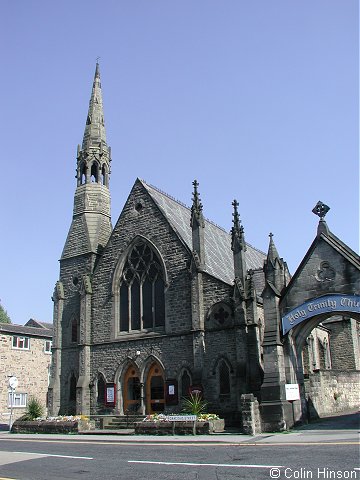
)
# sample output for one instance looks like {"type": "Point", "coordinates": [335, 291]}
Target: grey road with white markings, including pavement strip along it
{"type": "Point", "coordinates": [329, 451]}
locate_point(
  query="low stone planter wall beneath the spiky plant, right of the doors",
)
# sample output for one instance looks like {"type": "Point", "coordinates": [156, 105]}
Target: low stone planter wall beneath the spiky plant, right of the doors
{"type": "Point", "coordinates": [179, 428]}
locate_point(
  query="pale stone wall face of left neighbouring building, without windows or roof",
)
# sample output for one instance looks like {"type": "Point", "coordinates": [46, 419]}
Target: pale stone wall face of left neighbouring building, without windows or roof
{"type": "Point", "coordinates": [31, 369]}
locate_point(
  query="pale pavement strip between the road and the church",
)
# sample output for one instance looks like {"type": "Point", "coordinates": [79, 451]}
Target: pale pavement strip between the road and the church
{"type": "Point", "coordinates": [344, 428]}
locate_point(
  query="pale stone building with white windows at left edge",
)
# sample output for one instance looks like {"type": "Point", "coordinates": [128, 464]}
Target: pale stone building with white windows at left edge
{"type": "Point", "coordinates": [25, 353]}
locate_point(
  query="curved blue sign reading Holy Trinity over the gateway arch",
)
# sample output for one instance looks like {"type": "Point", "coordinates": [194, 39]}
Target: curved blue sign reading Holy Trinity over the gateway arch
{"type": "Point", "coordinates": [318, 306]}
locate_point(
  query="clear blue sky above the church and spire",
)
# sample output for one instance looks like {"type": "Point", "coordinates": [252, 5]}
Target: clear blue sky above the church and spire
{"type": "Point", "coordinates": [258, 100]}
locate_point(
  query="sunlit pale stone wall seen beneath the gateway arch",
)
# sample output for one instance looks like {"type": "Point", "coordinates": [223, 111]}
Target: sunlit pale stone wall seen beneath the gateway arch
{"type": "Point", "coordinates": [331, 391]}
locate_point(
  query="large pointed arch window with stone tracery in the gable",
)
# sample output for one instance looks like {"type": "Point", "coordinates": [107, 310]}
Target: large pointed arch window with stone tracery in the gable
{"type": "Point", "coordinates": [142, 302]}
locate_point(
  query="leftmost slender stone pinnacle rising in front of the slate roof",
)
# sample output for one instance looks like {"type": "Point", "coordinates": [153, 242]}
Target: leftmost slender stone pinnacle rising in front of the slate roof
{"type": "Point", "coordinates": [197, 224]}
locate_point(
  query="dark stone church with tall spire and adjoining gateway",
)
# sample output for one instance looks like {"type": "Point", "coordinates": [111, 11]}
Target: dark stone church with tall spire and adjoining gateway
{"type": "Point", "coordinates": [167, 302]}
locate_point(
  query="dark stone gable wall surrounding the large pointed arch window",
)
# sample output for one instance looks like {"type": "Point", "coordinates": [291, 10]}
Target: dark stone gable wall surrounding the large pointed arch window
{"type": "Point", "coordinates": [149, 223]}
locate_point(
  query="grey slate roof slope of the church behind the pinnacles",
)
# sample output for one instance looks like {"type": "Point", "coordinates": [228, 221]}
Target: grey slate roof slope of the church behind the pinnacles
{"type": "Point", "coordinates": [218, 254]}
